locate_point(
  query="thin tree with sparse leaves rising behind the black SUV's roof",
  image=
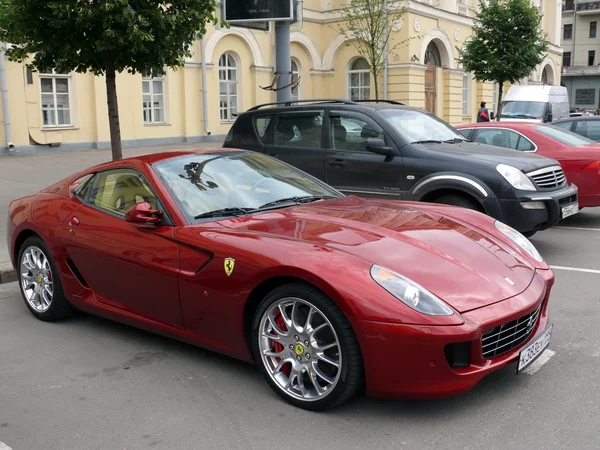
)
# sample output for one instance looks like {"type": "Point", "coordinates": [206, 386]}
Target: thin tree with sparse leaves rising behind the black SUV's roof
{"type": "Point", "coordinates": [369, 27]}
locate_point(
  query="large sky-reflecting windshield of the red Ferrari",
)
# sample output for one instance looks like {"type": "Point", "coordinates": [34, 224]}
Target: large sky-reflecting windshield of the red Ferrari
{"type": "Point", "coordinates": [204, 183]}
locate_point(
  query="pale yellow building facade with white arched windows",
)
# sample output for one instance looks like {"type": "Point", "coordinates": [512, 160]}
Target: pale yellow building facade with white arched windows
{"type": "Point", "coordinates": [69, 111]}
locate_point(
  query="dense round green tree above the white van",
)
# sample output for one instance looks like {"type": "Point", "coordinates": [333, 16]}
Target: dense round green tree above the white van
{"type": "Point", "coordinates": [507, 44]}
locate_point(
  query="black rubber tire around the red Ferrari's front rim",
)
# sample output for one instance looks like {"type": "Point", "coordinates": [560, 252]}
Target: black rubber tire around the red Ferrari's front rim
{"type": "Point", "coordinates": [351, 372]}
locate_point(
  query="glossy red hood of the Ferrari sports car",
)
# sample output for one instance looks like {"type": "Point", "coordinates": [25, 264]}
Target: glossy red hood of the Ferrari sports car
{"type": "Point", "coordinates": [459, 264]}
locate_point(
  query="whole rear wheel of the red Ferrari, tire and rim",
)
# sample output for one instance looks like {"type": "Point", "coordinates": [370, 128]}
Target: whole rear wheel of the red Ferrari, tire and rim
{"type": "Point", "coordinates": [39, 282]}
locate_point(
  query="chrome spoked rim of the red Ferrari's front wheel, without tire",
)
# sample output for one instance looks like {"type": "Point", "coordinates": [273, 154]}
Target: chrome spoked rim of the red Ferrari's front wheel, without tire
{"type": "Point", "coordinates": [300, 349]}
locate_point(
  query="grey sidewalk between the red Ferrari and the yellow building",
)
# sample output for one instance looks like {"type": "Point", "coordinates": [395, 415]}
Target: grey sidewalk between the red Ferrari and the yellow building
{"type": "Point", "coordinates": [26, 174]}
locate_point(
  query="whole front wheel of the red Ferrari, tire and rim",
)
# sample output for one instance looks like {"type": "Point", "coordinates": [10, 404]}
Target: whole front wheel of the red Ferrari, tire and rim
{"type": "Point", "coordinates": [306, 348]}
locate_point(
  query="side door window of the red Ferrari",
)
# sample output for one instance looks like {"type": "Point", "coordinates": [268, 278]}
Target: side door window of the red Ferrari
{"type": "Point", "coordinates": [116, 191]}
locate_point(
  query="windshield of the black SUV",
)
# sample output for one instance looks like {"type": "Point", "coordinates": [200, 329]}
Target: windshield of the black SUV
{"type": "Point", "coordinates": [418, 126]}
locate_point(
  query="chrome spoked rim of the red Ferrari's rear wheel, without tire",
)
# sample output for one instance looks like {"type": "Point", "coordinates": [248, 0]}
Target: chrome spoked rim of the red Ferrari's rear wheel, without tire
{"type": "Point", "coordinates": [36, 279]}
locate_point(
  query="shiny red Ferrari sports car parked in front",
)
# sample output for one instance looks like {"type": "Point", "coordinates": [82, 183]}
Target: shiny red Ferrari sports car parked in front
{"type": "Point", "coordinates": [243, 254]}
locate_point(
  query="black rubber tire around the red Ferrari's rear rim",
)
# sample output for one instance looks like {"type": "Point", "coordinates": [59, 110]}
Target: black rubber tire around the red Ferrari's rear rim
{"type": "Point", "coordinates": [59, 308]}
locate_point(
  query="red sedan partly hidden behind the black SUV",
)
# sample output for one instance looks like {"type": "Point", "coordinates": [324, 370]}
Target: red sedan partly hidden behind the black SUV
{"type": "Point", "coordinates": [578, 155]}
